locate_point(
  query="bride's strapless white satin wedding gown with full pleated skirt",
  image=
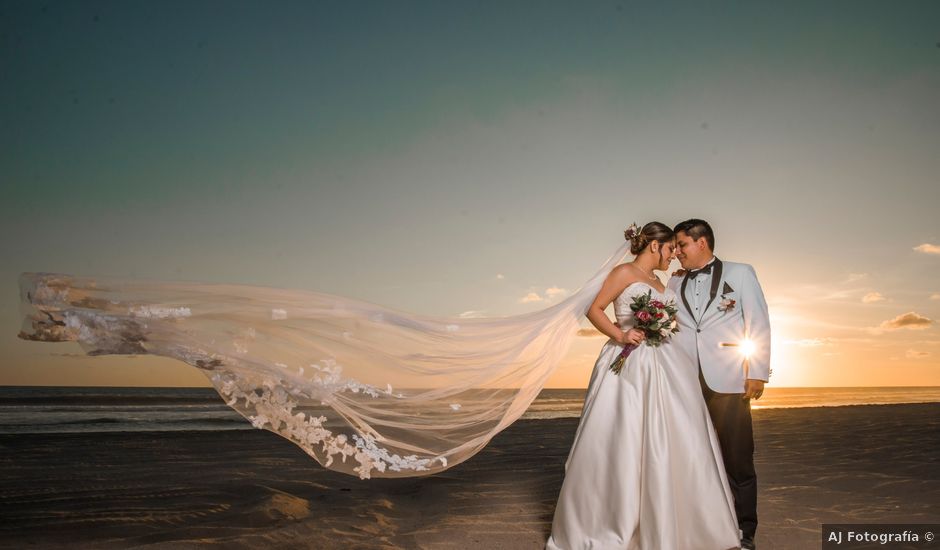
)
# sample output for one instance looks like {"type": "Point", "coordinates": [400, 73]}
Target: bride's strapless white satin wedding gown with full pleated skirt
{"type": "Point", "coordinates": [645, 468]}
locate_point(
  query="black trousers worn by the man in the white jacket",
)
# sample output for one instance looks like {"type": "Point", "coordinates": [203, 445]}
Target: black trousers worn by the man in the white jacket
{"type": "Point", "coordinates": [731, 416]}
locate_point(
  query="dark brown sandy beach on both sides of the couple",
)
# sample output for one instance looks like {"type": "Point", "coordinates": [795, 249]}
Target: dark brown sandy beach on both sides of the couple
{"type": "Point", "coordinates": [253, 489]}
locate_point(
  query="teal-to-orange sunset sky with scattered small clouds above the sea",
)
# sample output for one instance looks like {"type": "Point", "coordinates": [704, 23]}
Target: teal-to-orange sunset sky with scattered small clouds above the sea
{"type": "Point", "coordinates": [479, 159]}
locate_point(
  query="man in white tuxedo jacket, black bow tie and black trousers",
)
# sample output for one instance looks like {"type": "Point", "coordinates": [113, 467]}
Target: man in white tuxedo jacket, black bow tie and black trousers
{"type": "Point", "coordinates": [724, 324]}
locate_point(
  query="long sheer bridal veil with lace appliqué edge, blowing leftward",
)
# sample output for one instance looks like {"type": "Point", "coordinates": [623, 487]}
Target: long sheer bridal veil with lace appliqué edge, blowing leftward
{"type": "Point", "coordinates": [363, 389]}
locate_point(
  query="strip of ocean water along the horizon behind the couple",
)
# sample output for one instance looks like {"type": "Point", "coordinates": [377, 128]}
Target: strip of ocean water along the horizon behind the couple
{"type": "Point", "coordinates": [43, 409]}
